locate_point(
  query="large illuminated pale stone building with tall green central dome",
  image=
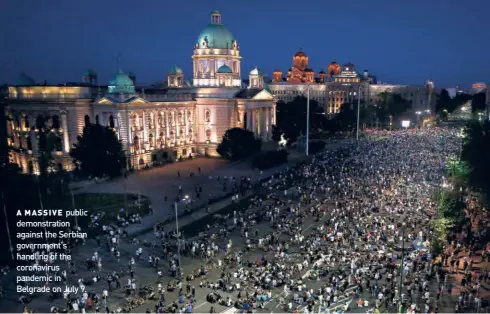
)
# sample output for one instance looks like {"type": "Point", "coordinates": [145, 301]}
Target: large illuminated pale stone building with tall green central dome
{"type": "Point", "coordinates": [153, 124]}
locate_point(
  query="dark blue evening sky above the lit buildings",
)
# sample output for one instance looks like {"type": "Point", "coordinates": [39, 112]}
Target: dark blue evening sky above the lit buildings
{"type": "Point", "coordinates": [400, 41]}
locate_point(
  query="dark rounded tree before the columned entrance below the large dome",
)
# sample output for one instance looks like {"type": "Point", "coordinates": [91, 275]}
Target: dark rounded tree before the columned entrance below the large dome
{"type": "Point", "coordinates": [238, 143]}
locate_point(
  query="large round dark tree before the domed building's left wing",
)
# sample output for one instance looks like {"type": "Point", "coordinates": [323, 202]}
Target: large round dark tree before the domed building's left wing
{"type": "Point", "coordinates": [98, 152]}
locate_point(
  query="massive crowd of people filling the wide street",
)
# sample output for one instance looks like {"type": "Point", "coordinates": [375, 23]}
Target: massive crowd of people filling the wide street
{"type": "Point", "coordinates": [349, 229]}
